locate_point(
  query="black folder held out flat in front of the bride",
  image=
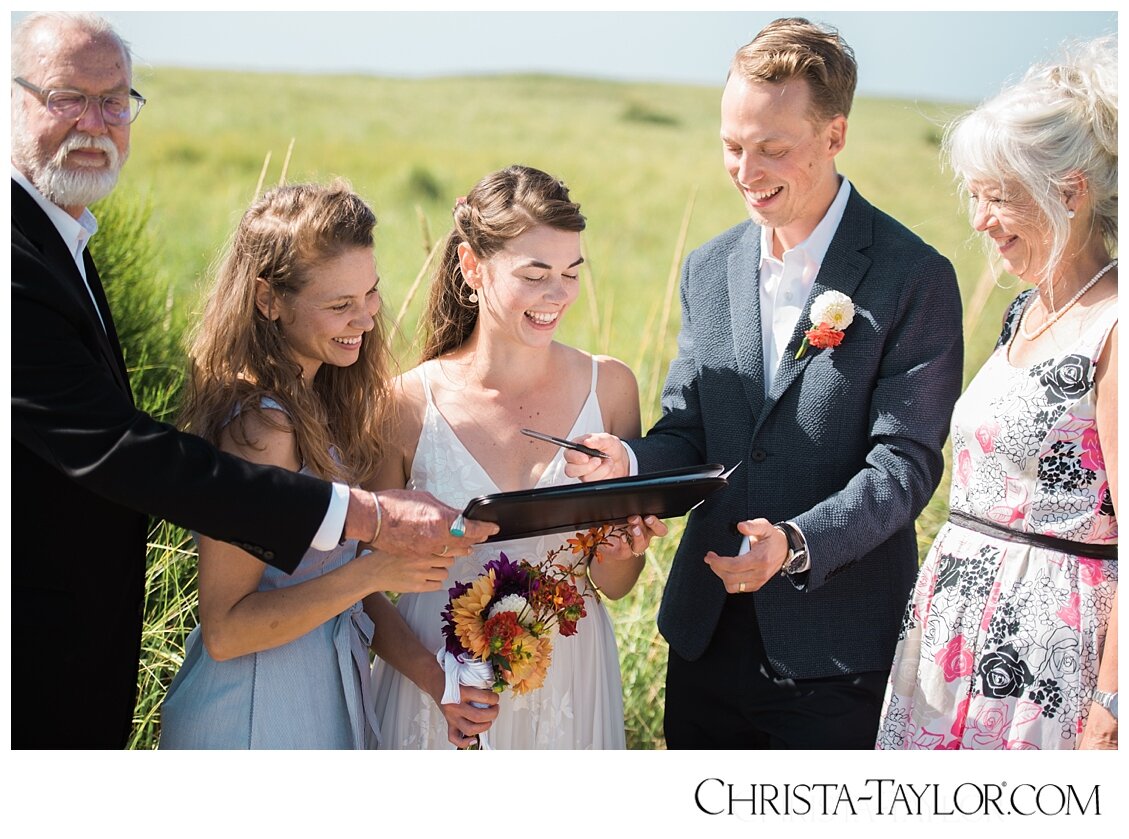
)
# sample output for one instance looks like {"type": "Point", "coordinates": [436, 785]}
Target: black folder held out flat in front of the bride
{"type": "Point", "coordinates": [580, 506]}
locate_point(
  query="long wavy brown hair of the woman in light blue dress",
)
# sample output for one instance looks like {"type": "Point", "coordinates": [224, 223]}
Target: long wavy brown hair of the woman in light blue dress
{"type": "Point", "coordinates": [239, 356]}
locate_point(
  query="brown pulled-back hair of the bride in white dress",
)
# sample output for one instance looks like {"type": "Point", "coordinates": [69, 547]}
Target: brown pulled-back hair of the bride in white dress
{"type": "Point", "coordinates": [503, 206]}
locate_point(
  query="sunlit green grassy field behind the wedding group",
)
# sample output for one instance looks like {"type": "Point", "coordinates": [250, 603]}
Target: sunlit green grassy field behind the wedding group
{"type": "Point", "coordinates": [644, 161]}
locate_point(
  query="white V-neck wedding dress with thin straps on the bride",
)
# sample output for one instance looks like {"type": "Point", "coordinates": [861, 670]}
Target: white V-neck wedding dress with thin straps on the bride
{"type": "Point", "coordinates": [581, 704]}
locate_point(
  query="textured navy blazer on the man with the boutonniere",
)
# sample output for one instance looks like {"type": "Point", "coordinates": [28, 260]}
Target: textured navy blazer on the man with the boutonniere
{"type": "Point", "coordinates": [848, 442]}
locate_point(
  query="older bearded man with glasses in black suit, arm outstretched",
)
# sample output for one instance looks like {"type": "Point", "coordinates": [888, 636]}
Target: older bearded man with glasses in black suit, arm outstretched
{"type": "Point", "coordinates": [89, 466]}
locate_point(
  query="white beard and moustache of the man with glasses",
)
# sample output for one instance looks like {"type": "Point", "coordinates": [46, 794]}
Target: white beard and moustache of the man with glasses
{"type": "Point", "coordinates": [68, 187]}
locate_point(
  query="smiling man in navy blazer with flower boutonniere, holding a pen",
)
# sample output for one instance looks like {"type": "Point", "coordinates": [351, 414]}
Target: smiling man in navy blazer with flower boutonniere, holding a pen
{"type": "Point", "coordinates": [786, 593]}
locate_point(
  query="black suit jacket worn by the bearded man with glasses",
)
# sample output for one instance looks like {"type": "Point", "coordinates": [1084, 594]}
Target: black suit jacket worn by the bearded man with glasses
{"type": "Point", "coordinates": [87, 468]}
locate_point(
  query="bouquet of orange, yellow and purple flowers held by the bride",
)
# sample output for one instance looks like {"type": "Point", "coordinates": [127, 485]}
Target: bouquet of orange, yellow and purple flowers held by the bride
{"type": "Point", "coordinates": [497, 628]}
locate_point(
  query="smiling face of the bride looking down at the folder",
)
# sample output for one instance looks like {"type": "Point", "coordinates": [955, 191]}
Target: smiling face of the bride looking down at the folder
{"type": "Point", "coordinates": [526, 289]}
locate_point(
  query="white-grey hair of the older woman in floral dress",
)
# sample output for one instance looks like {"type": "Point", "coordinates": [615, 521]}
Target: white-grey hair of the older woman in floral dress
{"type": "Point", "coordinates": [1058, 123]}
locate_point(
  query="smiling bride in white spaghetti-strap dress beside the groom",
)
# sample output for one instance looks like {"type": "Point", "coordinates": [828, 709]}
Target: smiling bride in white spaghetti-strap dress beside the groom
{"type": "Point", "coordinates": [492, 369]}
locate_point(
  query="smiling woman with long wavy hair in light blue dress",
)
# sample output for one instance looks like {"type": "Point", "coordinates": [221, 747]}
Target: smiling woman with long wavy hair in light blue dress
{"type": "Point", "coordinates": [288, 370]}
